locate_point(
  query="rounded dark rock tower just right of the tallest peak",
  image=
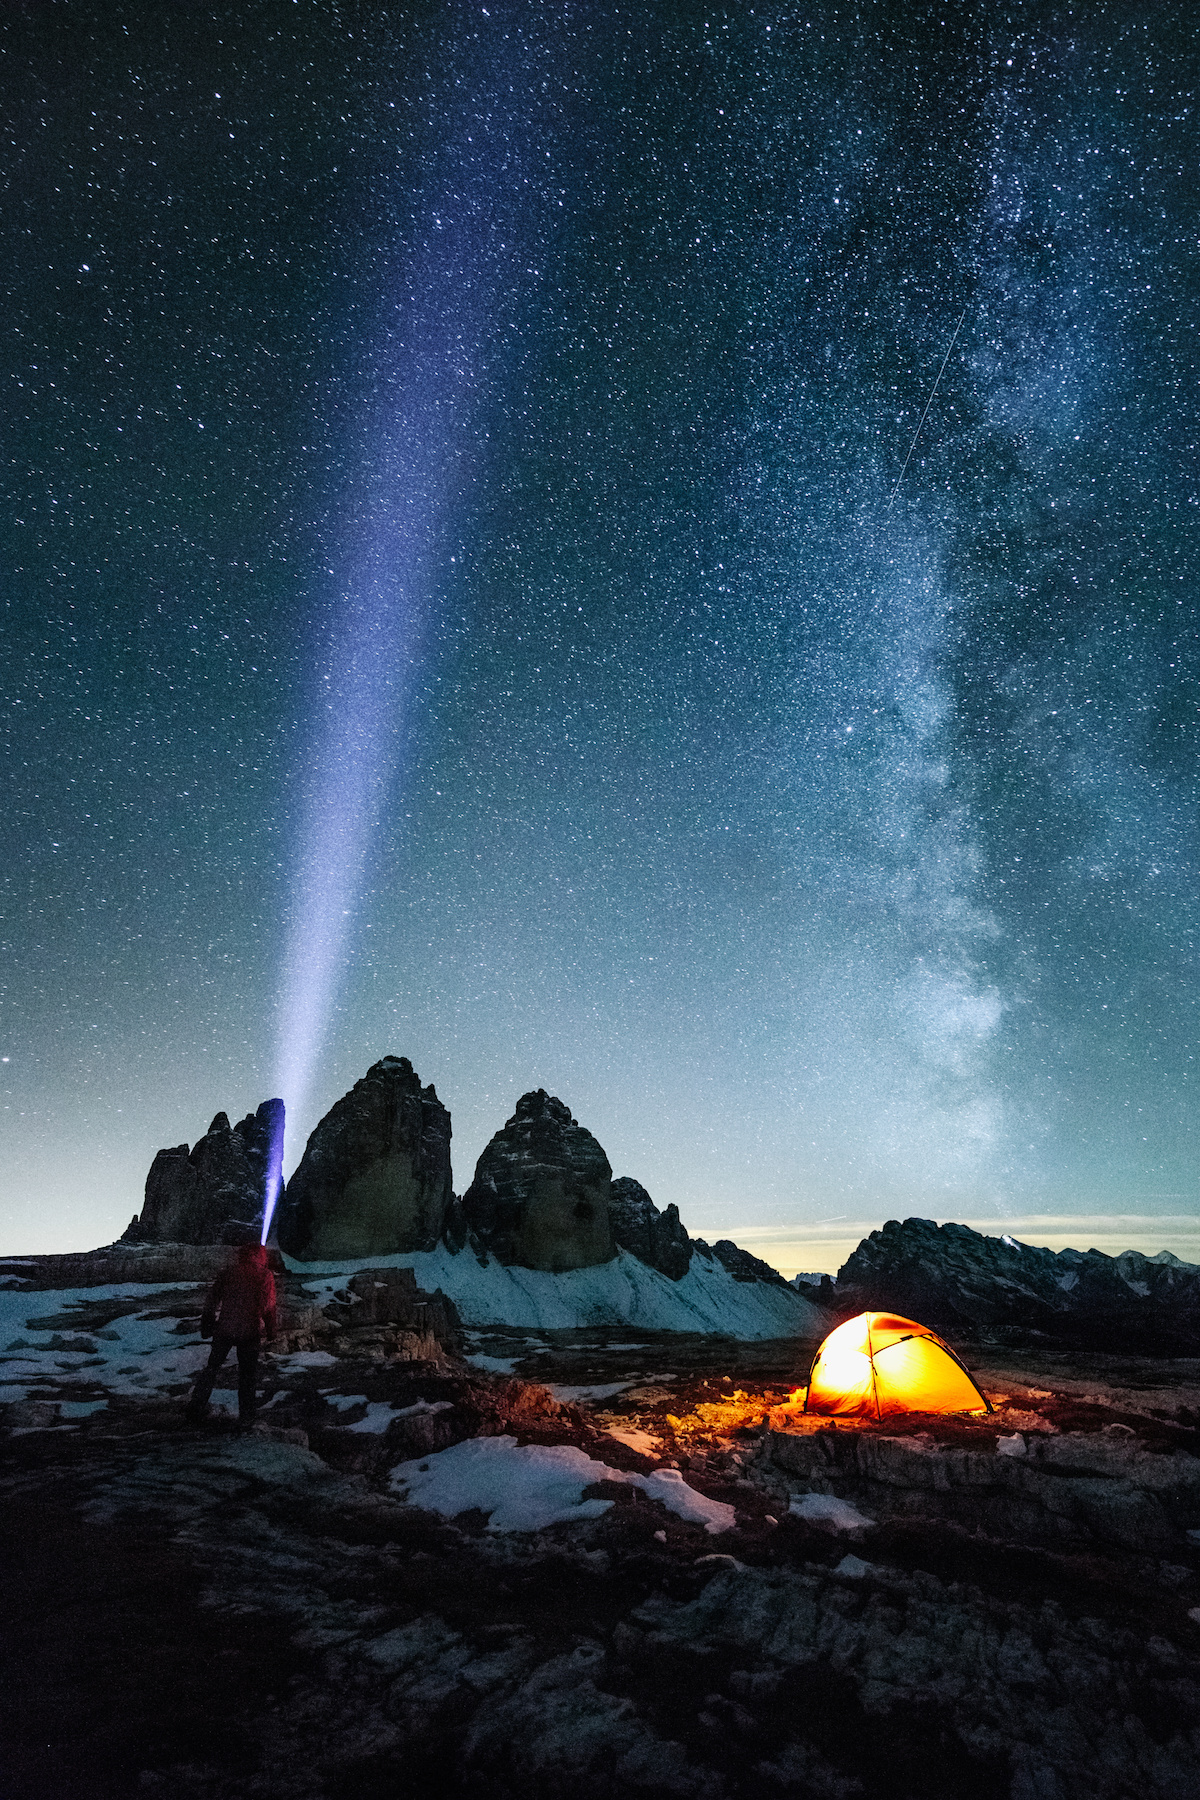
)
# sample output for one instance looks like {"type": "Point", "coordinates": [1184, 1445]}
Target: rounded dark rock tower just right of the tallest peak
{"type": "Point", "coordinates": [541, 1191]}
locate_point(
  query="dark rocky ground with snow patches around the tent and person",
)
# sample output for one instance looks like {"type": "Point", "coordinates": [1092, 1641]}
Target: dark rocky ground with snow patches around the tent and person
{"type": "Point", "coordinates": [739, 1601]}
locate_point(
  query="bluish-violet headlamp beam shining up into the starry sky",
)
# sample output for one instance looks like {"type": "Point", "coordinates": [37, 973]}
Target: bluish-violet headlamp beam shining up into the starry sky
{"type": "Point", "coordinates": [465, 267]}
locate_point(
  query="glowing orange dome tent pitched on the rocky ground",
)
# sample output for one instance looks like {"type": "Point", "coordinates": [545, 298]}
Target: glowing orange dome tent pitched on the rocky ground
{"type": "Point", "coordinates": [881, 1363]}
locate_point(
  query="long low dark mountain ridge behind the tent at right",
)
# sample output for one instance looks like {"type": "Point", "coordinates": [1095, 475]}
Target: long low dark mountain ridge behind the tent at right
{"type": "Point", "coordinates": [956, 1279]}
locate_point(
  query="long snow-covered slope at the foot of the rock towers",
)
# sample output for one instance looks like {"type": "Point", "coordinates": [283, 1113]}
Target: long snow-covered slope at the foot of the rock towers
{"type": "Point", "coordinates": [623, 1291]}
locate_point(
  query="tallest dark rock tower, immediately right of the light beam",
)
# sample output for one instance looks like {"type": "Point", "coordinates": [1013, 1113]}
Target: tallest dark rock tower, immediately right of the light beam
{"type": "Point", "coordinates": [375, 1178]}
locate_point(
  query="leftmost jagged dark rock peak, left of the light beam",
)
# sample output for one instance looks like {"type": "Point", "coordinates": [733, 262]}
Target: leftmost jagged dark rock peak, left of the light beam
{"type": "Point", "coordinates": [201, 1196]}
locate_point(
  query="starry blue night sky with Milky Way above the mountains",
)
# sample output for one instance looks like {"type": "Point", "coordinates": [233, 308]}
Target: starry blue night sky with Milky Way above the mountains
{"type": "Point", "coordinates": [463, 602]}
